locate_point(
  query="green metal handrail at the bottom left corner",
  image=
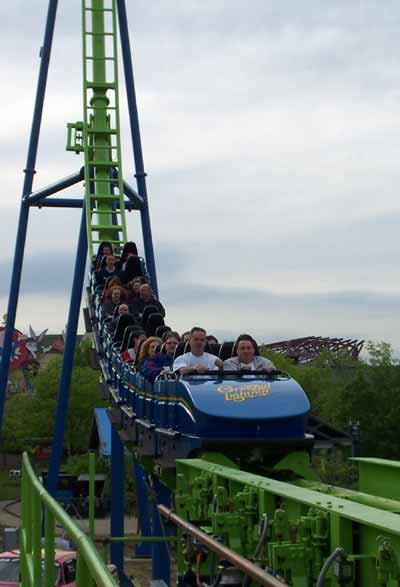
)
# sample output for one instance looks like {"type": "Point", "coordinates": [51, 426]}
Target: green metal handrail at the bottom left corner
{"type": "Point", "coordinates": [36, 502]}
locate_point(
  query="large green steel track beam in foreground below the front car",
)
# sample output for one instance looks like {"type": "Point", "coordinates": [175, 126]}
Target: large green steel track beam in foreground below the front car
{"type": "Point", "coordinates": [304, 526]}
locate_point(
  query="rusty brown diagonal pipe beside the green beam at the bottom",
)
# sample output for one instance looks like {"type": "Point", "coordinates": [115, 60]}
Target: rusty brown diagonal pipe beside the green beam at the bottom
{"type": "Point", "coordinates": [224, 552]}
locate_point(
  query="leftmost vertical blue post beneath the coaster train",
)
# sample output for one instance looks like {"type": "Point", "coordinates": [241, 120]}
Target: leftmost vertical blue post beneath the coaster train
{"type": "Point", "coordinates": [117, 500]}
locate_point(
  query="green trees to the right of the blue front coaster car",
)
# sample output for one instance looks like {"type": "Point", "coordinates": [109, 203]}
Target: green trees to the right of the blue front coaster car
{"type": "Point", "coordinates": [342, 390]}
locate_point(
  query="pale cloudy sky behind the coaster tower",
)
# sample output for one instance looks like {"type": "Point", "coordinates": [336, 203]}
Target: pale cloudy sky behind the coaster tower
{"type": "Point", "coordinates": [271, 138]}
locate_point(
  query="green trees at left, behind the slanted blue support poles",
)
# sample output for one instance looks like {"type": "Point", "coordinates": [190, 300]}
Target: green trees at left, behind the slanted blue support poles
{"type": "Point", "coordinates": [29, 418]}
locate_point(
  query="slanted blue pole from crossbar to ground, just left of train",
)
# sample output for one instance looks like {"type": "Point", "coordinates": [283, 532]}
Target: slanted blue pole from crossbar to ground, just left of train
{"type": "Point", "coordinates": [68, 358]}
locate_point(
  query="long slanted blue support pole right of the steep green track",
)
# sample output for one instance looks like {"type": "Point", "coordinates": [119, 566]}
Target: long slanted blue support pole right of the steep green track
{"type": "Point", "coordinates": [137, 145]}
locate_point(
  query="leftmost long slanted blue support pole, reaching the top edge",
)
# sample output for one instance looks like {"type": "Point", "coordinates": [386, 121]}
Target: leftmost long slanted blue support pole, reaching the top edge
{"type": "Point", "coordinates": [24, 212]}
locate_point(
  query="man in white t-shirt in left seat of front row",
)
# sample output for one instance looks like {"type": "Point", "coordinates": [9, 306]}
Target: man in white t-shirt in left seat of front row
{"type": "Point", "coordinates": [197, 361]}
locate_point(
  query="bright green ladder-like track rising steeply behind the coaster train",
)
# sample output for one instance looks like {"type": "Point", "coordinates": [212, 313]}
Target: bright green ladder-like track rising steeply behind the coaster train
{"type": "Point", "coordinates": [98, 136]}
